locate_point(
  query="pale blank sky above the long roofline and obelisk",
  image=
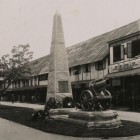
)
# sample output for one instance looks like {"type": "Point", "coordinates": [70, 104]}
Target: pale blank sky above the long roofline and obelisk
{"type": "Point", "coordinates": [30, 21]}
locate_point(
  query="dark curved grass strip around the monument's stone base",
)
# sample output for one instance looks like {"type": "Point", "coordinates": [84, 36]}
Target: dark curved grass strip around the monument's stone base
{"type": "Point", "coordinates": [23, 116]}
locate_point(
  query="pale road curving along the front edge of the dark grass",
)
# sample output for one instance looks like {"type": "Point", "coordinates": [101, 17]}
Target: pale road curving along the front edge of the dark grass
{"type": "Point", "coordinates": [14, 131]}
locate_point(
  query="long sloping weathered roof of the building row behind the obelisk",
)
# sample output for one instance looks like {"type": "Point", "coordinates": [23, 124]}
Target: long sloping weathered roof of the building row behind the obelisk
{"type": "Point", "coordinates": [92, 50]}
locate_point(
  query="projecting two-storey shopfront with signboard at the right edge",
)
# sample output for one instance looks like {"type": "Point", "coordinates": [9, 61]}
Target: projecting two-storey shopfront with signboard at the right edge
{"type": "Point", "coordinates": [124, 68]}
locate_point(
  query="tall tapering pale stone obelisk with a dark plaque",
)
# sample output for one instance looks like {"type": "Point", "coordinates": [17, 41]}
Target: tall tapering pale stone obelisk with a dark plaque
{"type": "Point", "coordinates": [59, 85]}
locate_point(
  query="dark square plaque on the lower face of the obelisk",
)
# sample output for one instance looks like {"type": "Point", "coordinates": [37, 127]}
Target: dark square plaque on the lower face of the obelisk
{"type": "Point", "coordinates": [63, 86]}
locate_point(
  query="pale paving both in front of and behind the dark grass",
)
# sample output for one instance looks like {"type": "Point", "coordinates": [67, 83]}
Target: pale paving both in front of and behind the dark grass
{"type": "Point", "coordinates": [13, 131]}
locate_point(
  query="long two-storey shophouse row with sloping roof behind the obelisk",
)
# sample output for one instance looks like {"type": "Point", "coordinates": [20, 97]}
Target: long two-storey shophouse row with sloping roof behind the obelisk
{"type": "Point", "coordinates": [114, 54]}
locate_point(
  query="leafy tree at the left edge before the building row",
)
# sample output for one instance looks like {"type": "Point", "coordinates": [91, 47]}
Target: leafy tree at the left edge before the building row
{"type": "Point", "coordinates": [15, 66]}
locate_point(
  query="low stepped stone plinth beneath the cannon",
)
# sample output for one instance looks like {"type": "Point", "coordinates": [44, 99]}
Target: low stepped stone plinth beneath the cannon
{"type": "Point", "coordinates": [91, 120]}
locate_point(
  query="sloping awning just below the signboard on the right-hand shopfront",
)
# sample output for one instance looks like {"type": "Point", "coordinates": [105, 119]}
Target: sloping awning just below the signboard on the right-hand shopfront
{"type": "Point", "coordinates": [124, 73]}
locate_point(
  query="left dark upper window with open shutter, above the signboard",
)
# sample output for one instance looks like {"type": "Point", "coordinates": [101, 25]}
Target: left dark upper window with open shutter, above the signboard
{"type": "Point", "coordinates": [118, 53]}
